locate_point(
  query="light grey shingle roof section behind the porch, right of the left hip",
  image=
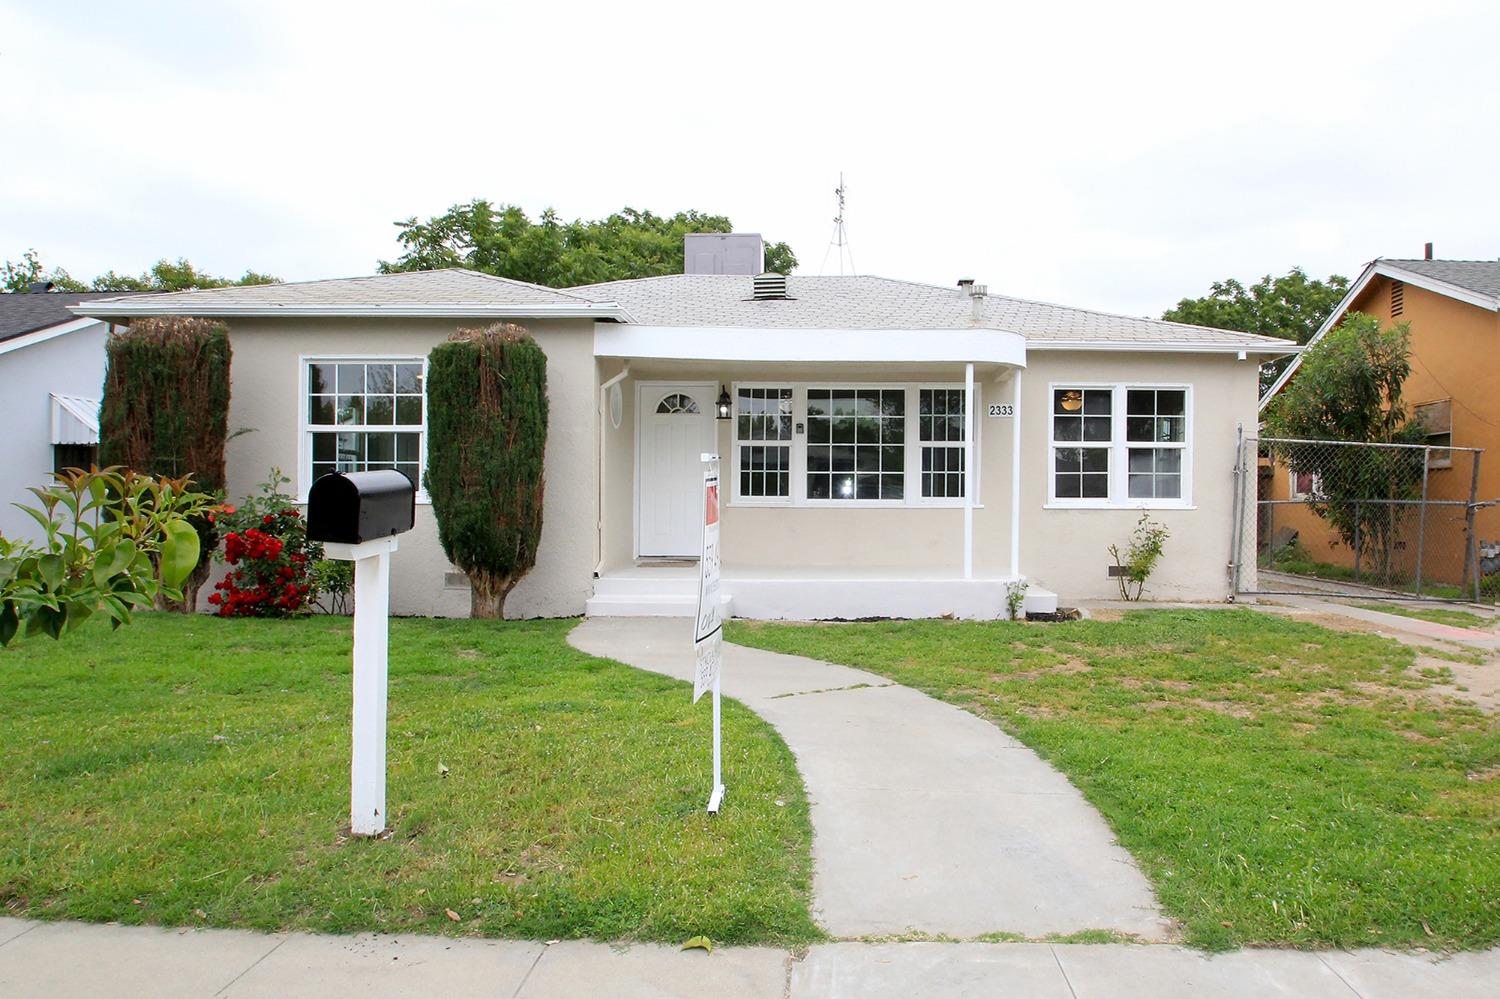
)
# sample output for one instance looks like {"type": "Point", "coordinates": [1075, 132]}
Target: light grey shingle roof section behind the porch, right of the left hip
{"type": "Point", "coordinates": [881, 304]}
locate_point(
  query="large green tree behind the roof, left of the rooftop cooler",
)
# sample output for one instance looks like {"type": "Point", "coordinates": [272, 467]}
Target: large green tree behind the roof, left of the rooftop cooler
{"type": "Point", "coordinates": [503, 241]}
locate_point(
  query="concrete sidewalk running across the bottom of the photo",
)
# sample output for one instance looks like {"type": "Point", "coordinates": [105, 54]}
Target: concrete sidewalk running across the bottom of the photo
{"type": "Point", "coordinates": [65, 961]}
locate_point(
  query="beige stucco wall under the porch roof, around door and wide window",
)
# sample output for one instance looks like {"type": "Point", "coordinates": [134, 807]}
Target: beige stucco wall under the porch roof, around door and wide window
{"type": "Point", "coordinates": [758, 536]}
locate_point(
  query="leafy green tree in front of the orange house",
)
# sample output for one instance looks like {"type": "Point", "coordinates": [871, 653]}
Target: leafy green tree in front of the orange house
{"type": "Point", "coordinates": [1349, 389]}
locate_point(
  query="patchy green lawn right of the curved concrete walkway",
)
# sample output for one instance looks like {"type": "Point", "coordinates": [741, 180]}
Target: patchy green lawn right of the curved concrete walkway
{"type": "Point", "coordinates": [1279, 782]}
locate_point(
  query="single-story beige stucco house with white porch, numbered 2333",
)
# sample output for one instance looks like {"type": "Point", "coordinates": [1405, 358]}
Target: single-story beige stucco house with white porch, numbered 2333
{"type": "Point", "coordinates": [890, 449]}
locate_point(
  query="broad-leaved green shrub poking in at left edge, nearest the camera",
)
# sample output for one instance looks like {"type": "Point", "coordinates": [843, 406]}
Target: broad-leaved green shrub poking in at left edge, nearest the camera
{"type": "Point", "coordinates": [112, 541]}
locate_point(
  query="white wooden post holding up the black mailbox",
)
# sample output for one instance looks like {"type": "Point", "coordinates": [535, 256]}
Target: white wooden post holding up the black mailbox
{"type": "Point", "coordinates": [371, 679]}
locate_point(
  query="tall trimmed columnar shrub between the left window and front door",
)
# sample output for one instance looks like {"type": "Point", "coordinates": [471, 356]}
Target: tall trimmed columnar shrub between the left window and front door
{"type": "Point", "coordinates": [487, 439]}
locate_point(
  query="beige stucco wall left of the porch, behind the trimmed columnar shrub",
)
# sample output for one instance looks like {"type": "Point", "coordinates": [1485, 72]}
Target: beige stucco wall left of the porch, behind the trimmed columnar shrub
{"type": "Point", "coordinates": [266, 401]}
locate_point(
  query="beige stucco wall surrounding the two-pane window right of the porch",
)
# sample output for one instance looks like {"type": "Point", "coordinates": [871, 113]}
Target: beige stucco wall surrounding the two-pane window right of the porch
{"type": "Point", "coordinates": [1067, 550]}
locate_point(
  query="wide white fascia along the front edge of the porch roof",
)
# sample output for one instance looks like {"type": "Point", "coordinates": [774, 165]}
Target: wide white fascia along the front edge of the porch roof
{"type": "Point", "coordinates": [808, 346]}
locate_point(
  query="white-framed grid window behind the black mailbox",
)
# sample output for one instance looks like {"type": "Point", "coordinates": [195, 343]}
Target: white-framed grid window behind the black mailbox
{"type": "Point", "coordinates": [364, 413]}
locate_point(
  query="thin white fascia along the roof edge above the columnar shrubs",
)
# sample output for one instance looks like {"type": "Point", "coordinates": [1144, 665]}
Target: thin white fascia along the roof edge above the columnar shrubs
{"type": "Point", "coordinates": [403, 311]}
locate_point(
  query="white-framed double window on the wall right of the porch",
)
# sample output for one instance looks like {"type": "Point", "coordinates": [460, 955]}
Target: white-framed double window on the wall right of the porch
{"type": "Point", "coordinates": [1120, 446]}
